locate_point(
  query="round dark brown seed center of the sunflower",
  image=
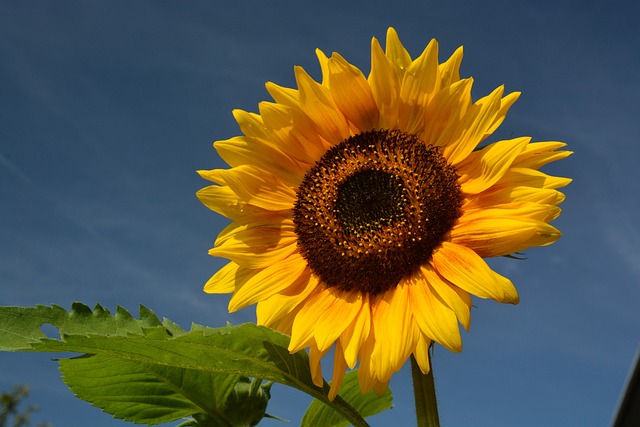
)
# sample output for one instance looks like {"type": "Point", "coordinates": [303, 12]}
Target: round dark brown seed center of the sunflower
{"type": "Point", "coordinates": [373, 209]}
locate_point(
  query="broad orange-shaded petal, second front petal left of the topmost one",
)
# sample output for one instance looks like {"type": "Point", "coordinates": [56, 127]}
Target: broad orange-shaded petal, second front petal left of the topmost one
{"type": "Point", "coordinates": [352, 94]}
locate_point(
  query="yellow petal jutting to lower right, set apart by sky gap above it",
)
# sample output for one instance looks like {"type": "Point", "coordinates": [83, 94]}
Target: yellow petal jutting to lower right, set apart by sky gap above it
{"type": "Point", "coordinates": [464, 268]}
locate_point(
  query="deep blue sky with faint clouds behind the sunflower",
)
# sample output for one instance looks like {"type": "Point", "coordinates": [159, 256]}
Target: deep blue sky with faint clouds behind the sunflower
{"type": "Point", "coordinates": [107, 108]}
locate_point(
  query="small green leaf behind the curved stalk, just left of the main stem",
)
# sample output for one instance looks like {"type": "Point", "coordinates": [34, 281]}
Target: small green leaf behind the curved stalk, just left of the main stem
{"type": "Point", "coordinates": [320, 414]}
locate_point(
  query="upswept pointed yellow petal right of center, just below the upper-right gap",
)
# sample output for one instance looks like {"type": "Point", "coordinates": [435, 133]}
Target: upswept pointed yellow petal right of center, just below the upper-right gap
{"type": "Point", "coordinates": [481, 169]}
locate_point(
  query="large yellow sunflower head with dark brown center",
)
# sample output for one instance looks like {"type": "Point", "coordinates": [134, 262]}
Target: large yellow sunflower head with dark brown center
{"type": "Point", "coordinates": [361, 209]}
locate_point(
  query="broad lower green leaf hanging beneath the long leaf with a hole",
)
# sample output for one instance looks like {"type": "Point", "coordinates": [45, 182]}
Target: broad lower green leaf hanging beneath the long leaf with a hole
{"type": "Point", "coordinates": [146, 393]}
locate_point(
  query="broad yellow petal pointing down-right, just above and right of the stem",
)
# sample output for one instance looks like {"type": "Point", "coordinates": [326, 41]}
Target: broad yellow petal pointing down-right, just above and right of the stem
{"type": "Point", "coordinates": [434, 317]}
